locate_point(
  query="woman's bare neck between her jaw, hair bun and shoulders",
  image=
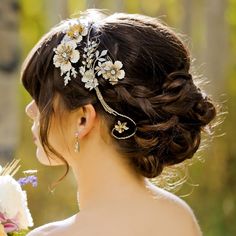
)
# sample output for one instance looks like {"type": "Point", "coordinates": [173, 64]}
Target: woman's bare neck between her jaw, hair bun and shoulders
{"type": "Point", "coordinates": [103, 177]}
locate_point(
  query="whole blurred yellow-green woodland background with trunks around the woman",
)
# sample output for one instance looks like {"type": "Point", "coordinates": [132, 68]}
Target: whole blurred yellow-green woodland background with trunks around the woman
{"type": "Point", "coordinates": [209, 30]}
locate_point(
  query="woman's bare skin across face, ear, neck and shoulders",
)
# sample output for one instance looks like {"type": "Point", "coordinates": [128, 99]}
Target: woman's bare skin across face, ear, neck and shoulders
{"type": "Point", "coordinates": [113, 199]}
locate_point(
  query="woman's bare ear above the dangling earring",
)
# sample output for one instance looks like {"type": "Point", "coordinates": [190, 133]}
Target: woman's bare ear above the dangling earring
{"type": "Point", "coordinates": [86, 120]}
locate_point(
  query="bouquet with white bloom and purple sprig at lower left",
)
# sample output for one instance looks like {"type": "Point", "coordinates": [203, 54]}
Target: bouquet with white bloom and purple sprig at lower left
{"type": "Point", "coordinates": [15, 217]}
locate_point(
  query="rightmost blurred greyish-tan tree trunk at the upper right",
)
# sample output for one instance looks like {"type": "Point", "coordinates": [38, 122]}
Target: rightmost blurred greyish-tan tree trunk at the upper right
{"type": "Point", "coordinates": [216, 45]}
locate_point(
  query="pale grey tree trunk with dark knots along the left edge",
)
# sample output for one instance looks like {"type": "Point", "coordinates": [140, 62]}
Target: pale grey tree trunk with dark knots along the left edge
{"type": "Point", "coordinates": [9, 61]}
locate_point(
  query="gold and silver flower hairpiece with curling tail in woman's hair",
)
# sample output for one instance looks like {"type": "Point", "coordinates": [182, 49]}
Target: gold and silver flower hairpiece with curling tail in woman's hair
{"type": "Point", "coordinates": [95, 65]}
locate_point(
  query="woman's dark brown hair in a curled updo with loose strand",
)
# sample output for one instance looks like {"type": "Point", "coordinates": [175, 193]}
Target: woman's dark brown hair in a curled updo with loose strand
{"type": "Point", "coordinates": [158, 91]}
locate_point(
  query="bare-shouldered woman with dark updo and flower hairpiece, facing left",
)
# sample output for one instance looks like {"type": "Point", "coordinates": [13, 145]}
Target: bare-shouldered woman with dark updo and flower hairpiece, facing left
{"type": "Point", "coordinates": [114, 100]}
